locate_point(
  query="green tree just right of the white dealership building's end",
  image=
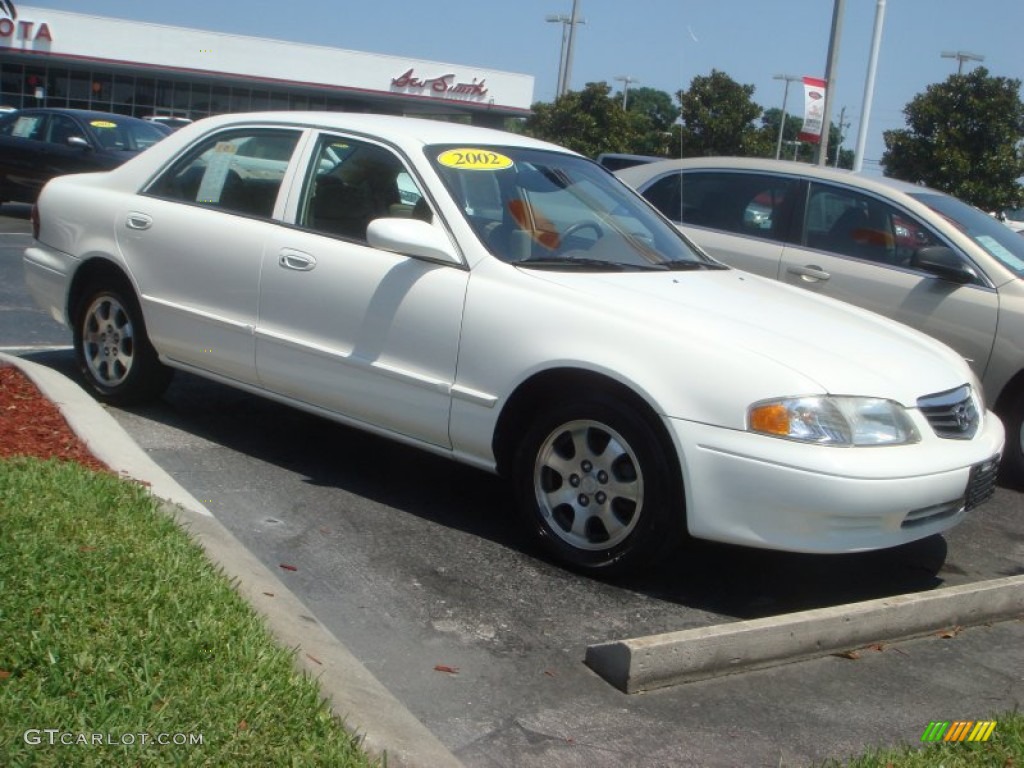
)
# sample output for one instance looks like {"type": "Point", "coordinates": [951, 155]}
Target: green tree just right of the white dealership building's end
{"type": "Point", "coordinates": [589, 122]}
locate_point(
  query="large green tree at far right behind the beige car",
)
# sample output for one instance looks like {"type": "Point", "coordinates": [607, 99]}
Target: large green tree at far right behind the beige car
{"type": "Point", "coordinates": [964, 137]}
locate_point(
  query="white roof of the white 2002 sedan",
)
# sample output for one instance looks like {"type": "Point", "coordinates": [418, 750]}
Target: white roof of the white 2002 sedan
{"type": "Point", "coordinates": [400, 131]}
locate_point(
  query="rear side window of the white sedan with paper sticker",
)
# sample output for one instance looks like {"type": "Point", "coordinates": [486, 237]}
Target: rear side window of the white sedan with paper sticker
{"type": "Point", "coordinates": [239, 172]}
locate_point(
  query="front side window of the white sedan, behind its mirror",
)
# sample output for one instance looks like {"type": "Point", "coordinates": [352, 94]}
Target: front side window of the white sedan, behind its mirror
{"type": "Point", "coordinates": [353, 183]}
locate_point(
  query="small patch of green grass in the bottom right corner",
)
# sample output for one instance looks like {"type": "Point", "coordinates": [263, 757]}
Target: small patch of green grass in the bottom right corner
{"type": "Point", "coordinates": [1004, 750]}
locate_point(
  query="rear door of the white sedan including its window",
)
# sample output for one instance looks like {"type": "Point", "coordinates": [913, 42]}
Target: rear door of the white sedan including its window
{"type": "Point", "coordinates": [195, 241]}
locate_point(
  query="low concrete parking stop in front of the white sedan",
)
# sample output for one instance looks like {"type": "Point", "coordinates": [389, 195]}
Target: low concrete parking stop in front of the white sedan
{"type": "Point", "coordinates": [649, 663]}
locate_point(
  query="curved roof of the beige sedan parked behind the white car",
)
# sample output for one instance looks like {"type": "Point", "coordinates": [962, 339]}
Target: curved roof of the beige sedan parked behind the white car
{"type": "Point", "coordinates": [639, 176]}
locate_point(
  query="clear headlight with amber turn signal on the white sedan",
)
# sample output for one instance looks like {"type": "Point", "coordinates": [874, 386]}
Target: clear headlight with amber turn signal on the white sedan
{"type": "Point", "coordinates": [835, 421]}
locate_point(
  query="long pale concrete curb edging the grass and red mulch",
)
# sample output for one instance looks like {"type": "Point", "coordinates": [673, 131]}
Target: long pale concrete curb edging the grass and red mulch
{"type": "Point", "coordinates": [368, 709]}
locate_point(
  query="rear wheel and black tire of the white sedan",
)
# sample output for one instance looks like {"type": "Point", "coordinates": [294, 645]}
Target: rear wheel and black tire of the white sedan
{"type": "Point", "coordinates": [114, 353]}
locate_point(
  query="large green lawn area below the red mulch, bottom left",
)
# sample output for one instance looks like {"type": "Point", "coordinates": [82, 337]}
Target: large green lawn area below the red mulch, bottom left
{"type": "Point", "coordinates": [113, 623]}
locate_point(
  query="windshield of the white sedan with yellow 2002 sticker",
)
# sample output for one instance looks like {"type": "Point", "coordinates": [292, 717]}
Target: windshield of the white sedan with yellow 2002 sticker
{"type": "Point", "coordinates": [553, 210]}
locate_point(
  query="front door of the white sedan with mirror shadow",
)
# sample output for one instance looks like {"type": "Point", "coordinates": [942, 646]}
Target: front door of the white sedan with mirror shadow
{"type": "Point", "coordinates": [365, 333]}
